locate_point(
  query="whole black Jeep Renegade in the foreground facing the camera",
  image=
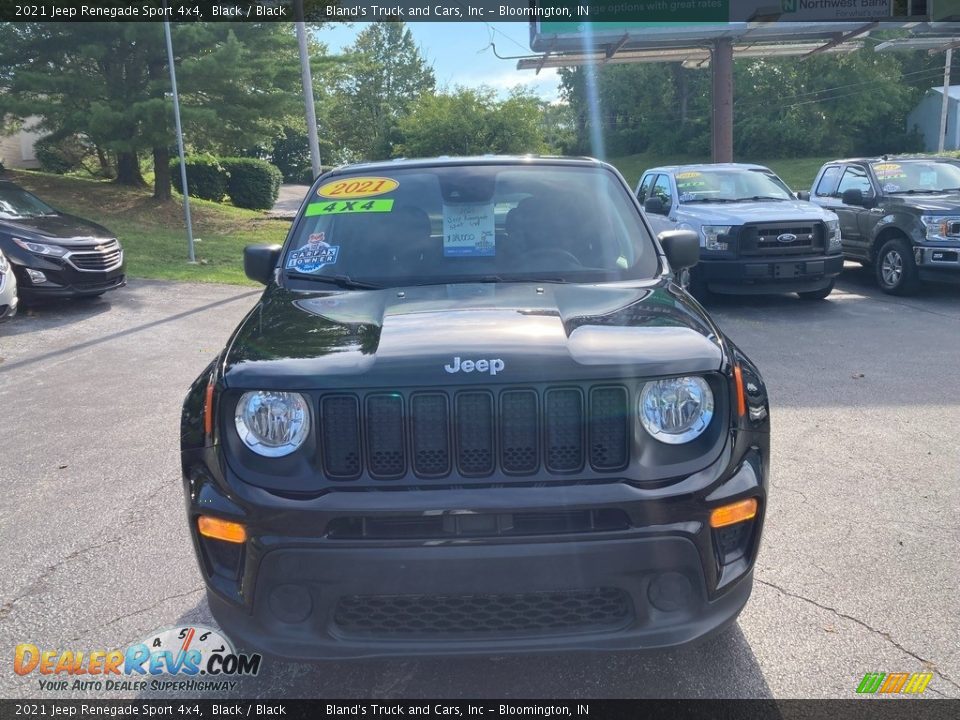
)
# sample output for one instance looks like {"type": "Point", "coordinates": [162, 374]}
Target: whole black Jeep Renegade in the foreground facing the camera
{"type": "Point", "coordinates": [473, 413]}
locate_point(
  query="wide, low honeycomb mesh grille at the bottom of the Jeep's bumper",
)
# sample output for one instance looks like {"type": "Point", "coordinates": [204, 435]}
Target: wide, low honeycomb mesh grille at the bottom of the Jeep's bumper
{"type": "Point", "coordinates": [500, 614]}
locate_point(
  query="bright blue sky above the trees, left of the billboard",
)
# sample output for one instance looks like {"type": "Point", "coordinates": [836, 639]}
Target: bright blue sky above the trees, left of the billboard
{"type": "Point", "coordinates": [460, 53]}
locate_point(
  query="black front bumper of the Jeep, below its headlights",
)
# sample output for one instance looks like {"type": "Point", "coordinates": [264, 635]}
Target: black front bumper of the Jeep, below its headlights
{"type": "Point", "coordinates": [658, 577]}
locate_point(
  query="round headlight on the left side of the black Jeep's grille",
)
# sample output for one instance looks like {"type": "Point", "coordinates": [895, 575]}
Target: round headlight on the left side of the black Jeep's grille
{"type": "Point", "coordinates": [272, 423]}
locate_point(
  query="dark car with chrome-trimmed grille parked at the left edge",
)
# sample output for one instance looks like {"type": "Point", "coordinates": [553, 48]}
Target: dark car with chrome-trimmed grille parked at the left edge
{"type": "Point", "coordinates": [54, 254]}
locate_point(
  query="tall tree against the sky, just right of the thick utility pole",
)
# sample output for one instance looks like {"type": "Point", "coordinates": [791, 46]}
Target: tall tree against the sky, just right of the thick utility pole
{"type": "Point", "coordinates": [385, 76]}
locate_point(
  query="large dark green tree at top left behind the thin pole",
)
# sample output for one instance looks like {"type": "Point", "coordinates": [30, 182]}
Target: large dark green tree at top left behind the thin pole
{"type": "Point", "coordinates": [110, 82]}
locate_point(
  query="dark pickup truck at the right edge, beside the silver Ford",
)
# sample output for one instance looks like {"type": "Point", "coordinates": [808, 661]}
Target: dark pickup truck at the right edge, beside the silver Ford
{"type": "Point", "coordinates": [900, 216]}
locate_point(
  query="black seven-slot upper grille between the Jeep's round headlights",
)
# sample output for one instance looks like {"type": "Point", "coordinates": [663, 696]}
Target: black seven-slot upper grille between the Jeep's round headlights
{"type": "Point", "coordinates": [473, 433]}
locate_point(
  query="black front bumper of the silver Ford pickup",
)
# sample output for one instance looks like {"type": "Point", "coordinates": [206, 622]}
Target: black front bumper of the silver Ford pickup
{"type": "Point", "coordinates": [756, 275]}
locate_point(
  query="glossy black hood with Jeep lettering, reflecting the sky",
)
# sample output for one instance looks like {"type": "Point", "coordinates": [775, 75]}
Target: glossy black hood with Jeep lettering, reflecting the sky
{"type": "Point", "coordinates": [401, 337]}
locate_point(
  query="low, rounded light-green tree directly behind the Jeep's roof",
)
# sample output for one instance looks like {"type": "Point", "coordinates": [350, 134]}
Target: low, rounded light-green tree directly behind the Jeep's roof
{"type": "Point", "coordinates": [472, 122]}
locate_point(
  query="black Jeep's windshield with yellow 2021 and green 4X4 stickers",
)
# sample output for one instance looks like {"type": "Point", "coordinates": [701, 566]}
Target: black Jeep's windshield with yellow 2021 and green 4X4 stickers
{"type": "Point", "coordinates": [469, 223]}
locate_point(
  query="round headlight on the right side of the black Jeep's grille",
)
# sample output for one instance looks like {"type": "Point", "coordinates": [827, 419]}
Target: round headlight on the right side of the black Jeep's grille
{"type": "Point", "coordinates": [676, 410]}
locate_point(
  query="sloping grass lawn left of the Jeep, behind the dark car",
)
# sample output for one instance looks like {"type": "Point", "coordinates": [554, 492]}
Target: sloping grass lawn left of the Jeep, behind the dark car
{"type": "Point", "coordinates": [153, 234]}
